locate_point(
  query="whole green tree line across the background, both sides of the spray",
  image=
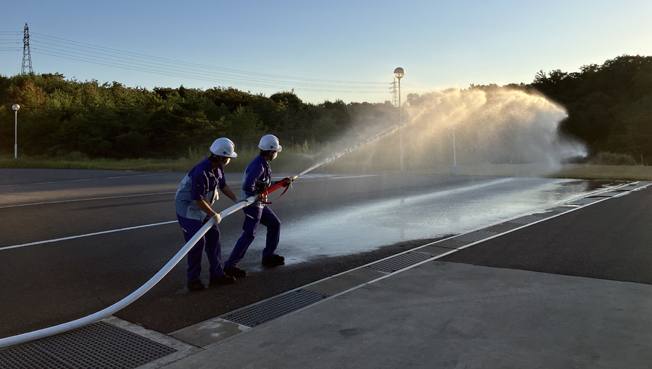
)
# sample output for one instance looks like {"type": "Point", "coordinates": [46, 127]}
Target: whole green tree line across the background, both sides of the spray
{"type": "Point", "coordinates": [609, 108]}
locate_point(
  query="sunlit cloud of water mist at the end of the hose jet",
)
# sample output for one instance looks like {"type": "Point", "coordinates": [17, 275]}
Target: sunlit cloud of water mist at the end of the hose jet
{"type": "Point", "coordinates": [499, 127]}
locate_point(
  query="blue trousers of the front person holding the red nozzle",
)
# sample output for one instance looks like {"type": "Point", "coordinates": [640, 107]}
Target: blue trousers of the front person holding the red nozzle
{"type": "Point", "coordinates": [253, 217]}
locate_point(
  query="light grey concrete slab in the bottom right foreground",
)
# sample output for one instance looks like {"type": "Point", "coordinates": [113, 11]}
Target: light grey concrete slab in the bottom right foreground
{"type": "Point", "coordinates": [450, 315]}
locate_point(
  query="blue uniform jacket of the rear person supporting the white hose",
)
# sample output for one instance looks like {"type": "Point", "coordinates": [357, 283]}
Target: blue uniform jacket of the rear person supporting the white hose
{"type": "Point", "coordinates": [200, 183]}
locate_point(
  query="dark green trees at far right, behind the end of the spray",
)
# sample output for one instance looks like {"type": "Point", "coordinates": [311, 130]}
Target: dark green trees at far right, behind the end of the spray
{"type": "Point", "coordinates": [609, 105]}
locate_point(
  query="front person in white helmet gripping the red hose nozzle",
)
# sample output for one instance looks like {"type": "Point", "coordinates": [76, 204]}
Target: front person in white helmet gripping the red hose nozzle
{"type": "Point", "coordinates": [257, 178]}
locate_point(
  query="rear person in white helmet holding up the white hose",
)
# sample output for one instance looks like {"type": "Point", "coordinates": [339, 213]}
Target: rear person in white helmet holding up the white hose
{"type": "Point", "coordinates": [195, 196]}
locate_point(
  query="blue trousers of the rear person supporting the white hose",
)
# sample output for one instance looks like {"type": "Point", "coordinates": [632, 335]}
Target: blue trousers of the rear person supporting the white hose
{"type": "Point", "coordinates": [211, 243]}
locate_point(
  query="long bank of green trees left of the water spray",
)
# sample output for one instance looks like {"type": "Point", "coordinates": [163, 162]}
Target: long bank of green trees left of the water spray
{"type": "Point", "coordinates": [60, 117]}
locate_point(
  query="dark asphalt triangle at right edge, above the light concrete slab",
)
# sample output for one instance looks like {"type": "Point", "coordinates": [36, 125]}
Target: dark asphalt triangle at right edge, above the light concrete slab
{"type": "Point", "coordinates": [609, 240]}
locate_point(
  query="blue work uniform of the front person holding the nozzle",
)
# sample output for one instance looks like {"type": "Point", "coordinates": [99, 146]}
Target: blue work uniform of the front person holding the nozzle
{"type": "Point", "coordinates": [257, 175]}
